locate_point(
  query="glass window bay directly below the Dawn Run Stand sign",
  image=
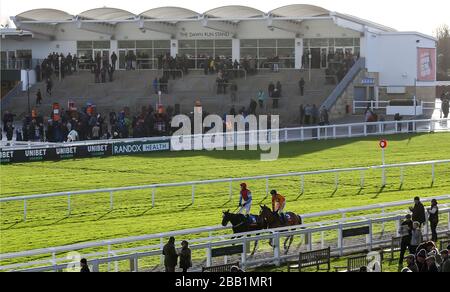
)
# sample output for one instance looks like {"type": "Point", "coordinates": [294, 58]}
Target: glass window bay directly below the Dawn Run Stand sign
{"type": "Point", "coordinates": [198, 51]}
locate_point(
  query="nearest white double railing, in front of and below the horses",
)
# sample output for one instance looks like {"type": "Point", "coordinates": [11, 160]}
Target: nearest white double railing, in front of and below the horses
{"type": "Point", "coordinates": [207, 244]}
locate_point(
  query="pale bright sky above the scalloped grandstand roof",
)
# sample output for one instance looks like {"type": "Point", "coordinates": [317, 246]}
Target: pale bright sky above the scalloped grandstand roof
{"type": "Point", "coordinates": [404, 15]}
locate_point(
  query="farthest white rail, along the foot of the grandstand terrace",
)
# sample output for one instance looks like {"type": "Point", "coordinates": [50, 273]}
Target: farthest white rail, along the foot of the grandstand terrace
{"type": "Point", "coordinates": [300, 134]}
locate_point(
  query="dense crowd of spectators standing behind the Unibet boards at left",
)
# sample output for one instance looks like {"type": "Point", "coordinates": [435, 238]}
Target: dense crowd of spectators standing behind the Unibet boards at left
{"type": "Point", "coordinates": [88, 124]}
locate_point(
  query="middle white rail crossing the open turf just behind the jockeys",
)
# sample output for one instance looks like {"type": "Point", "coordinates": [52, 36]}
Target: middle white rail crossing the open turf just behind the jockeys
{"type": "Point", "coordinates": [230, 181]}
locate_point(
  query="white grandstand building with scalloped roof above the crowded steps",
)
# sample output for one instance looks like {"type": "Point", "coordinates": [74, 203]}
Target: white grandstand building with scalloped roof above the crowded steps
{"type": "Point", "coordinates": [392, 64]}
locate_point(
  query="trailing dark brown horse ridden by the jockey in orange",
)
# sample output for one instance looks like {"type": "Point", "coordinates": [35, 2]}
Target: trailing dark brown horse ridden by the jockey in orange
{"type": "Point", "coordinates": [273, 221]}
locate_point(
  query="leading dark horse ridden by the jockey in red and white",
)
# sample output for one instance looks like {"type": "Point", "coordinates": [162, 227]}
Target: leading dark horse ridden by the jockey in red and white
{"type": "Point", "coordinates": [243, 224]}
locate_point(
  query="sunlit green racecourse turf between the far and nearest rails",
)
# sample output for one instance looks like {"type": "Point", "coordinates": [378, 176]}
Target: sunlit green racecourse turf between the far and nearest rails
{"type": "Point", "coordinates": [91, 220]}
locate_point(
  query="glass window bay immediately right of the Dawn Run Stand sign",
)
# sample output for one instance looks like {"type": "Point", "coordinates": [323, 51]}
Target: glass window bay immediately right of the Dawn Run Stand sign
{"type": "Point", "coordinates": [265, 50]}
